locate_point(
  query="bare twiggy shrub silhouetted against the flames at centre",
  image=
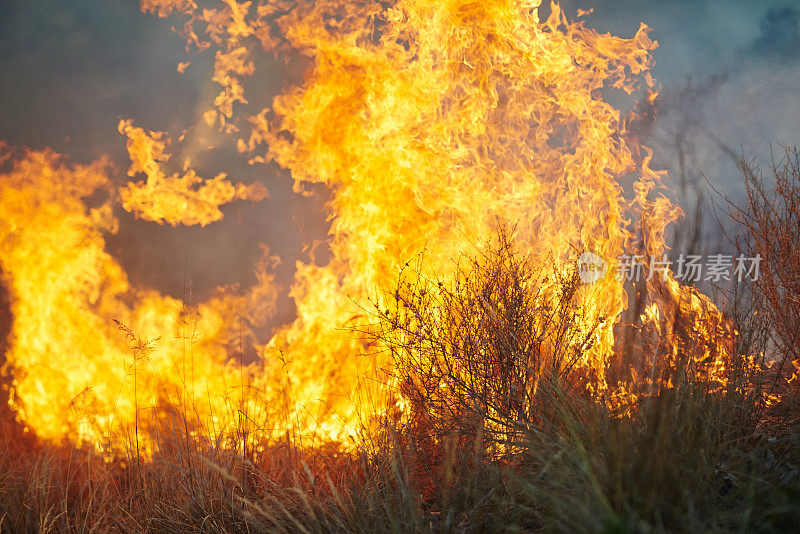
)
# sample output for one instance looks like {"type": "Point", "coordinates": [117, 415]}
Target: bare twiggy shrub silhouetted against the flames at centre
{"type": "Point", "coordinates": [479, 358]}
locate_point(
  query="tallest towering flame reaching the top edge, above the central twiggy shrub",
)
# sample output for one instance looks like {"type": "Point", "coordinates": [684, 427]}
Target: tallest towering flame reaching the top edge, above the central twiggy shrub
{"type": "Point", "coordinates": [461, 113]}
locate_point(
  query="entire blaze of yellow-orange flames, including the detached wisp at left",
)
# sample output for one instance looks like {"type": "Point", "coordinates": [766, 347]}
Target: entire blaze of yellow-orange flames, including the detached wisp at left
{"type": "Point", "coordinates": [430, 122]}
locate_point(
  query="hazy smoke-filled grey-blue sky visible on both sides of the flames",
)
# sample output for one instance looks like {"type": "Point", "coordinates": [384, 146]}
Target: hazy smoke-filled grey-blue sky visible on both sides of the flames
{"type": "Point", "coordinates": [70, 69]}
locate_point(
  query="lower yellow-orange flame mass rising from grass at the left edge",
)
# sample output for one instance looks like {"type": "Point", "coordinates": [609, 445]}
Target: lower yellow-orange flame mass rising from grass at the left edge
{"type": "Point", "coordinates": [75, 372]}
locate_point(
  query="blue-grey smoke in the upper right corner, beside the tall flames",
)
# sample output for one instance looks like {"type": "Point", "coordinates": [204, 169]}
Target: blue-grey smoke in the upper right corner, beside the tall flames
{"type": "Point", "coordinates": [729, 76]}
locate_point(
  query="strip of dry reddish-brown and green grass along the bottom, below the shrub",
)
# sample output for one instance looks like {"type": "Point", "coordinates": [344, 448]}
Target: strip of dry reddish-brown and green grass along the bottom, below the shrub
{"type": "Point", "coordinates": [687, 461]}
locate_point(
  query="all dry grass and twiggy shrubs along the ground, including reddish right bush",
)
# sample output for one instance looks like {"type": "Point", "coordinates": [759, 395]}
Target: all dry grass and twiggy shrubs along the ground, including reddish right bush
{"type": "Point", "coordinates": [510, 443]}
